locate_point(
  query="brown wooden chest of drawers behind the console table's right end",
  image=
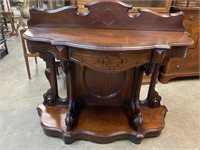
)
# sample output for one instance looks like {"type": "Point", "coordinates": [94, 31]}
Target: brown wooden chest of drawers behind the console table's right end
{"type": "Point", "coordinates": [190, 66]}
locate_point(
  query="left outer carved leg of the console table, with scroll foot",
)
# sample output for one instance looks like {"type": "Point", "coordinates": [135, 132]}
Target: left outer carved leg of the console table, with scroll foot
{"type": "Point", "coordinates": [51, 96]}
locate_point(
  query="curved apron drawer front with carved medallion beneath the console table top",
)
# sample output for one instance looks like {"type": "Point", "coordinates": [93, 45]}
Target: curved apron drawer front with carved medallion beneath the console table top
{"type": "Point", "coordinates": [110, 61]}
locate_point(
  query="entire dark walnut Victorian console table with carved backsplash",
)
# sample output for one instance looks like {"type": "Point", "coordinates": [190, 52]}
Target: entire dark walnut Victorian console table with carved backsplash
{"type": "Point", "coordinates": [104, 54]}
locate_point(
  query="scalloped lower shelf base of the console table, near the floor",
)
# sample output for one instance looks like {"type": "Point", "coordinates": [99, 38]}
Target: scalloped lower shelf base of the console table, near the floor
{"type": "Point", "coordinates": [101, 124]}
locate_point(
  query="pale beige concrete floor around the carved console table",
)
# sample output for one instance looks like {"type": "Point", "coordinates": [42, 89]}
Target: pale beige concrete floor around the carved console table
{"type": "Point", "coordinates": [20, 124]}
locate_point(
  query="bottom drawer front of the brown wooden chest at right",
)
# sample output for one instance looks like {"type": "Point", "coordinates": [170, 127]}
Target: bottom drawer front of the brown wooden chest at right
{"type": "Point", "coordinates": [184, 66]}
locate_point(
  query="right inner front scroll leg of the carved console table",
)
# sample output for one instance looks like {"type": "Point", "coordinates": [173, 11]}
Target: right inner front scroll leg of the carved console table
{"type": "Point", "coordinates": [137, 119]}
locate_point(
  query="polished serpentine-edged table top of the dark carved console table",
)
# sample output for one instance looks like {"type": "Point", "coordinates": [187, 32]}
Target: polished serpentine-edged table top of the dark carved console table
{"type": "Point", "coordinates": [109, 39]}
